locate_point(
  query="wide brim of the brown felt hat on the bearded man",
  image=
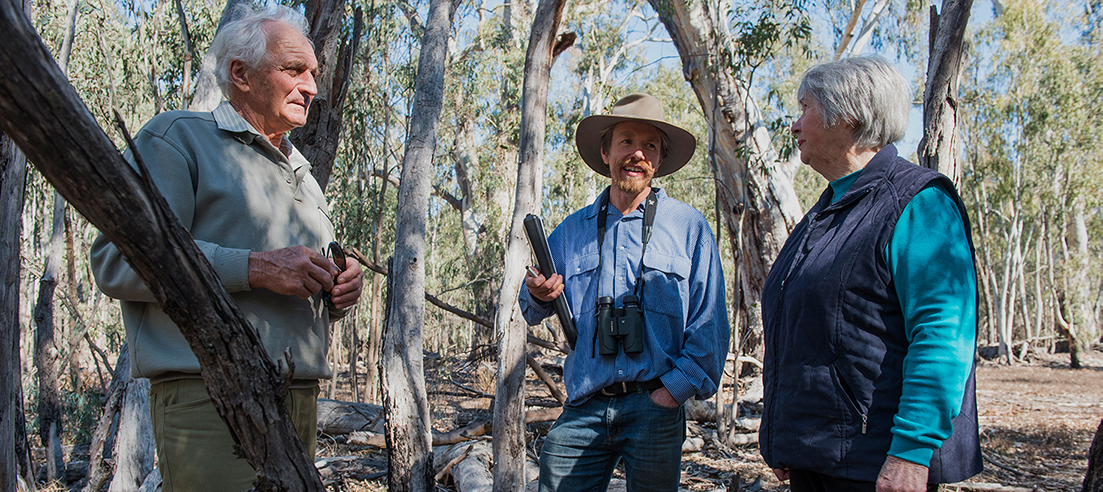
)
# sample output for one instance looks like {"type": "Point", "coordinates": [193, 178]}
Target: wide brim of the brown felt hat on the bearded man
{"type": "Point", "coordinates": [588, 143]}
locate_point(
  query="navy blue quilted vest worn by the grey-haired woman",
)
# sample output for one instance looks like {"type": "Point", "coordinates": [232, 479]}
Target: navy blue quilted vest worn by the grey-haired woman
{"type": "Point", "coordinates": [836, 339]}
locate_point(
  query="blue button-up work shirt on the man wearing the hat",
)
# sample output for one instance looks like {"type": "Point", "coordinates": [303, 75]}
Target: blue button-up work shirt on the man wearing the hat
{"type": "Point", "coordinates": [687, 334]}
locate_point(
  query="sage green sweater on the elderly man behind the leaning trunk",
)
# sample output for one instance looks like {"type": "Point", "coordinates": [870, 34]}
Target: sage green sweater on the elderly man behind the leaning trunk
{"type": "Point", "coordinates": [237, 194]}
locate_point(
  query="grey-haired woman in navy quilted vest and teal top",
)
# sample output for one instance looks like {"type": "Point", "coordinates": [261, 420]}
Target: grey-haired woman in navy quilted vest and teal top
{"type": "Point", "coordinates": [870, 311]}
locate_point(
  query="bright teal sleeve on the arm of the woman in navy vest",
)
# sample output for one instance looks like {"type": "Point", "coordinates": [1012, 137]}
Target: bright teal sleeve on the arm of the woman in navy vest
{"type": "Point", "coordinates": [933, 268]}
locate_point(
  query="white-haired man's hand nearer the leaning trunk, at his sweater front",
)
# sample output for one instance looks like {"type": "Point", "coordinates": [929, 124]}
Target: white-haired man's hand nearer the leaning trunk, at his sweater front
{"type": "Point", "coordinates": [295, 271]}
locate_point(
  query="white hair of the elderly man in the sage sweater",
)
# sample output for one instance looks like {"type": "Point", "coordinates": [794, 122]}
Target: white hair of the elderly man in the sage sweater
{"type": "Point", "coordinates": [247, 39]}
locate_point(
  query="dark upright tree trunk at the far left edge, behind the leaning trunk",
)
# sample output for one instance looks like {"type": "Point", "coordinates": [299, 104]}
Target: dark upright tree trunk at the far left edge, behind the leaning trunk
{"type": "Point", "coordinates": [13, 177]}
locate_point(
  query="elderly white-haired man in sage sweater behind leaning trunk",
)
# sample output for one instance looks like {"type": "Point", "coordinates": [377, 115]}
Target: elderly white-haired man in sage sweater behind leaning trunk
{"type": "Point", "coordinates": [248, 197]}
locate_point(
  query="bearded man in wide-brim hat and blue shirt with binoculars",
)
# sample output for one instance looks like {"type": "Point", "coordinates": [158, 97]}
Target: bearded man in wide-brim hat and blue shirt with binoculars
{"type": "Point", "coordinates": [644, 281]}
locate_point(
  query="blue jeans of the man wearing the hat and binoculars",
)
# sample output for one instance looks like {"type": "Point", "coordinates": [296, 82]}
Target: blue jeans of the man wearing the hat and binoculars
{"type": "Point", "coordinates": [583, 447]}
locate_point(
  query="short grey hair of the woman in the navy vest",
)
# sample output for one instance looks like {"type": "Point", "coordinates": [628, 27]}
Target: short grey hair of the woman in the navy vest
{"type": "Point", "coordinates": [866, 92]}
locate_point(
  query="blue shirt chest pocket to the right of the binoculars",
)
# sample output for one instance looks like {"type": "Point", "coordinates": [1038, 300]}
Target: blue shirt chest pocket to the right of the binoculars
{"type": "Point", "coordinates": [667, 286]}
